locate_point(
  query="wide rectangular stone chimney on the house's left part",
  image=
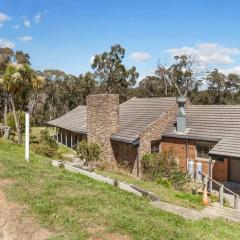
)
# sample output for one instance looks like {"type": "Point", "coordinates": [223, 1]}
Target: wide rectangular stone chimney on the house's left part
{"type": "Point", "coordinates": [103, 121]}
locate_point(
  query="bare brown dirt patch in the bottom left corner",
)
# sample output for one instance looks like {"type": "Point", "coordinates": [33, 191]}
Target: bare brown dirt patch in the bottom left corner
{"type": "Point", "coordinates": [14, 225]}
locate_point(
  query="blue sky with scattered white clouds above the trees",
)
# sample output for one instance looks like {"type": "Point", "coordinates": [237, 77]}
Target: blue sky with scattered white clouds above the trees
{"type": "Point", "coordinates": [65, 34]}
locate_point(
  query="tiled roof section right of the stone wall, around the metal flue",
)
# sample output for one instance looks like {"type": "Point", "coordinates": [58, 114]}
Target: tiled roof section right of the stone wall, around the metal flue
{"type": "Point", "coordinates": [218, 123]}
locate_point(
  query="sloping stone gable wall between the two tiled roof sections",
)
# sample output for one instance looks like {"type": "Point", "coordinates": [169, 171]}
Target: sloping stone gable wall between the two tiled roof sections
{"type": "Point", "coordinates": [151, 133]}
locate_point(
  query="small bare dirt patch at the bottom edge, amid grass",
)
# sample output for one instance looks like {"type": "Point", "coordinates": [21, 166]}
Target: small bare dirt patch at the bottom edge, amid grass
{"type": "Point", "coordinates": [100, 233]}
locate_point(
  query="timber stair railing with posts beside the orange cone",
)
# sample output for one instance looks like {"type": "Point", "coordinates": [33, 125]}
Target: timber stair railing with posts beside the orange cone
{"type": "Point", "coordinates": [222, 188]}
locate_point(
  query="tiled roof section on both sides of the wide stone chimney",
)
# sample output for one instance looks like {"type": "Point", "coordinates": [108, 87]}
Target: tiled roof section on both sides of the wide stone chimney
{"type": "Point", "coordinates": [134, 116]}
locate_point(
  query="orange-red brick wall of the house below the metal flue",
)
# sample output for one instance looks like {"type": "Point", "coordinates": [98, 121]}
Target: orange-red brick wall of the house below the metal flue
{"type": "Point", "coordinates": [179, 146]}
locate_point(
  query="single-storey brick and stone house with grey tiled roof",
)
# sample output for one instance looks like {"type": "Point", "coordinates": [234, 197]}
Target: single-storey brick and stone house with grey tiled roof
{"type": "Point", "coordinates": [125, 132]}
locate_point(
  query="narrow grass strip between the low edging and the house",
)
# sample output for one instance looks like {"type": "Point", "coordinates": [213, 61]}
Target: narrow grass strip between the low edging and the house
{"type": "Point", "coordinates": [165, 194]}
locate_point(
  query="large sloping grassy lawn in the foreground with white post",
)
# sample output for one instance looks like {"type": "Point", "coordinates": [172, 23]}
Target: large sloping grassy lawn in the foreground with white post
{"type": "Point", "coordinates": [69, 204]}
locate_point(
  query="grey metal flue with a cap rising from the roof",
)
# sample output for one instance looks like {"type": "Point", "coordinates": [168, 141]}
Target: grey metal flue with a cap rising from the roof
{"type": "Point", "coordinates": [181, 115]}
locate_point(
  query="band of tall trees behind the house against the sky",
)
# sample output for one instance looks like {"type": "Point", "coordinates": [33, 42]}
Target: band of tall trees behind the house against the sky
{"type": "Point", "coordinates": [52, 93]}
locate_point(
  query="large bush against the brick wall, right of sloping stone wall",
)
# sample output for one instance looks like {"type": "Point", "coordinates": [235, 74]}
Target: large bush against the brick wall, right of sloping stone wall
{"type": "Point", "coordinates": [163, 168]}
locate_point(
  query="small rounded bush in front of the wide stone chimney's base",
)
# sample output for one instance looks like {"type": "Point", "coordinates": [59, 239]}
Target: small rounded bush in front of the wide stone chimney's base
{"type": "Point", "coordinates": [88, 151]}
